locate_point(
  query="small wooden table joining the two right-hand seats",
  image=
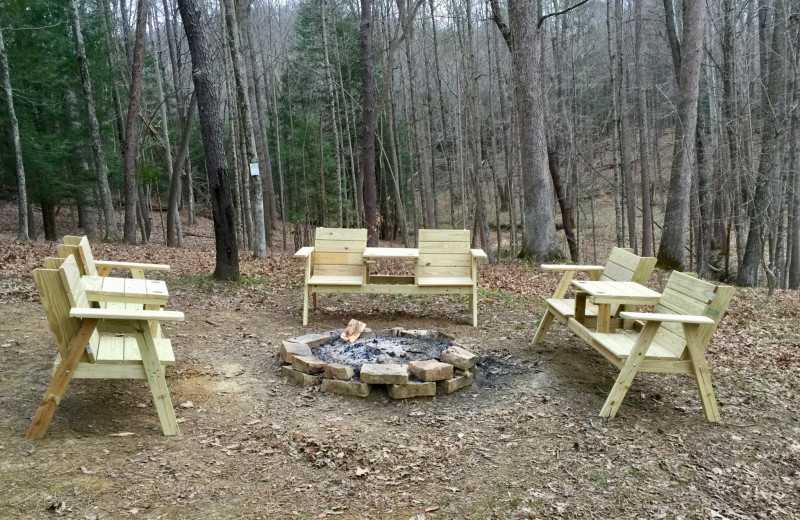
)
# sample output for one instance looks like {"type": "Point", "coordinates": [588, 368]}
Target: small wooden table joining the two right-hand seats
{"type": "Point", "coordinates": [607, 293]}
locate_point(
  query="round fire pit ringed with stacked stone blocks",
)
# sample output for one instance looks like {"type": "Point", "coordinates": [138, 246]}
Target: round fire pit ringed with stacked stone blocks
{"type": "Point", "coordinates": [409, 363]}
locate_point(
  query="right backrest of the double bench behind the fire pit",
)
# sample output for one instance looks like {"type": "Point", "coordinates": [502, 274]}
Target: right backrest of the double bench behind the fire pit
{"type": "Point", "coordinates": [444, 253]}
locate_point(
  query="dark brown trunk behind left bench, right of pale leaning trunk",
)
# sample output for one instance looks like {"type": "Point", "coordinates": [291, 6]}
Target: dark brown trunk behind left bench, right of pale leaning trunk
{"type": "Point", "coordinates": [131, 149]}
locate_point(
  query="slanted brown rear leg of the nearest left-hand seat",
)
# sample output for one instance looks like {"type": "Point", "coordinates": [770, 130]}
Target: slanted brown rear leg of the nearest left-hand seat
{"type": "Point", "coordinates": [61, 377]}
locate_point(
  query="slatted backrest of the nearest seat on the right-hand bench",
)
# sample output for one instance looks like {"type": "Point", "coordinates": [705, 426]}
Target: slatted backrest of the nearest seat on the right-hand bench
{"type": "Point", "coordinates": [687, 295]}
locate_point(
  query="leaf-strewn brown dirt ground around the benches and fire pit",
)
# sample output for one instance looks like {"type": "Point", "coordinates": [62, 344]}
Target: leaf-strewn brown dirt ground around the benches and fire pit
{"type": "Point", "coordinates": [524, 442]}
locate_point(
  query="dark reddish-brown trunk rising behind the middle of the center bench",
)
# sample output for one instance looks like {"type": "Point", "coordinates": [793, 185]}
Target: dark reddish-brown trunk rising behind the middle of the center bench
{"type": "Point", "coordinates": [369, 122]}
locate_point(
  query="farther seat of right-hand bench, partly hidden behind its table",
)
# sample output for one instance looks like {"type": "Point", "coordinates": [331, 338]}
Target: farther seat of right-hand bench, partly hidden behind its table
{"type": "Point", "coordinates": [622, 266]}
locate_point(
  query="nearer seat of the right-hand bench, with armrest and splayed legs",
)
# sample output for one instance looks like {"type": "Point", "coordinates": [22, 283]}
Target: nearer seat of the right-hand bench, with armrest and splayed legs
{"type": "Point", "coordinates": [674, 339]}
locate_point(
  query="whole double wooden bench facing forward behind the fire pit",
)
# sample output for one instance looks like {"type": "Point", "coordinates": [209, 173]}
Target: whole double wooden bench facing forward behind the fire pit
{"type": "Point", "coordinates": [339, 263]}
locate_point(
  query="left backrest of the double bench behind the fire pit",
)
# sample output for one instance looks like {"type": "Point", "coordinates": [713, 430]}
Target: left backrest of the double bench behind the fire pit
{"type": "Point", "coordinates": [339, 252]}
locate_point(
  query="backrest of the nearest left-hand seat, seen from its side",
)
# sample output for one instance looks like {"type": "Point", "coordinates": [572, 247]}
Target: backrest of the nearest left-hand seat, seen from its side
{"type": "Point", "coordinates": [60, 289]}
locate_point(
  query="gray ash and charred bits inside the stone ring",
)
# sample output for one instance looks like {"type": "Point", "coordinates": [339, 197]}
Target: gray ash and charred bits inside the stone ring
{"type": "Point", "coordinates": [380, 349]}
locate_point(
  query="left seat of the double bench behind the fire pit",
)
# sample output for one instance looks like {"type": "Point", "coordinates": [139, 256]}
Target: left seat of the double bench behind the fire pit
{"type": "Point", "coordinates": [334, 264]}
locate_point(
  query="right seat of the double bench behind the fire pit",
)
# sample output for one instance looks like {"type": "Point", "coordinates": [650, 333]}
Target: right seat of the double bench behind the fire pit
{"type": "Point", "coordinates": [447, 265]}
